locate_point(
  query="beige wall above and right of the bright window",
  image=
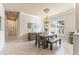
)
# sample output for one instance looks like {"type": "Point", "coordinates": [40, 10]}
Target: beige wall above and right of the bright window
{"type": "Point", "coordinates": [69, 21]}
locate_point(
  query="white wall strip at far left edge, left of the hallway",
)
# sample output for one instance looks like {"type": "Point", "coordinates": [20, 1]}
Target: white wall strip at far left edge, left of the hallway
{"type": "Point", "coordinates": [2, 31]}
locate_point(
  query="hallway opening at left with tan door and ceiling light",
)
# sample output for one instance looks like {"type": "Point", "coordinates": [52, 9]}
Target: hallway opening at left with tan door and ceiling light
{"type": "Point", "coordinates": [11, 26]}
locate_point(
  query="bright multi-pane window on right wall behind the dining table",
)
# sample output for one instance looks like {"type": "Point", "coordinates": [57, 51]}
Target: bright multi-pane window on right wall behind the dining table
{"type": "Point", "coordinates": [57, 26]}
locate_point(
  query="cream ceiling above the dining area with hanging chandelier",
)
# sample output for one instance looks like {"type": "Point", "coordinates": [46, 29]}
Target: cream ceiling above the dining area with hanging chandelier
{"type": "Point", "coordinates": [36, 9]}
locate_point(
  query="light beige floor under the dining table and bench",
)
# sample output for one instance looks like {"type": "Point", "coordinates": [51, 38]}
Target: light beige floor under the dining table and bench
{"type": "Point", "coordinates": [28, 48]}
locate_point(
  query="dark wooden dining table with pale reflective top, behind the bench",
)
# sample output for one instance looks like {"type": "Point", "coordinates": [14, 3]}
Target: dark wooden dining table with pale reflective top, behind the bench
{"type": "Point", "coordinates": [46, 38]}
